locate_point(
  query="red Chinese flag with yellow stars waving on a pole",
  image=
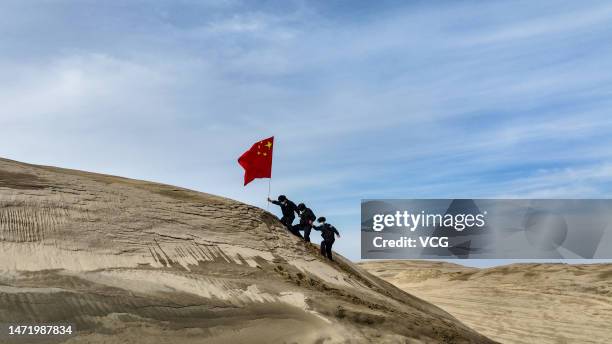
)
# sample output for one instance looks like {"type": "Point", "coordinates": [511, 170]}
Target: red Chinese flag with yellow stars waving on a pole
{"type": "Point", "coordinates": [257, 161]}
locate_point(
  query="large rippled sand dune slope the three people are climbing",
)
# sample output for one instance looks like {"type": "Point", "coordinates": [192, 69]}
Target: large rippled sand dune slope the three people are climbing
{"type": "Point", "coordinates": [128, 261]}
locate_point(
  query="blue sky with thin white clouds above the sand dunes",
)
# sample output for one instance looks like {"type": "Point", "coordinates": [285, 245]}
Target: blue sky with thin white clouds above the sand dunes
{"type": "Point", "coordinates": [366, 99]}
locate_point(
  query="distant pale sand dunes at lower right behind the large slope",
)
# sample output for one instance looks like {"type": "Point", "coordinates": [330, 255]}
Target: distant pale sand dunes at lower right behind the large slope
{"type": "Point", "coordinates": [518, 303]}
